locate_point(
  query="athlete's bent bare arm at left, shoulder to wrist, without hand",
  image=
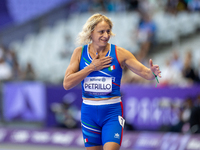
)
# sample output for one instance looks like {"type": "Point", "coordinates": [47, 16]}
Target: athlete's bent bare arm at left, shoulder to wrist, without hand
{"type": "Point", "coordinates": [72, 75]}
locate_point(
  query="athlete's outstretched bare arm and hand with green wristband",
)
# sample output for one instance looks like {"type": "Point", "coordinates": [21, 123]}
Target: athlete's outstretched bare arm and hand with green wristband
{"type": "Point", "coordinates": [127, 59]}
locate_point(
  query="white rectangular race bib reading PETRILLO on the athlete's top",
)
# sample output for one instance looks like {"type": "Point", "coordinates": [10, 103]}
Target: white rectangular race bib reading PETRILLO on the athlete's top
{"type": "Point", "coordinates": [98, 85]}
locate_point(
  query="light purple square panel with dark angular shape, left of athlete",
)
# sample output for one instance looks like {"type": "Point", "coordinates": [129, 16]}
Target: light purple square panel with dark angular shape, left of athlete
{"type": "Point", "coordinates": [24, 101]}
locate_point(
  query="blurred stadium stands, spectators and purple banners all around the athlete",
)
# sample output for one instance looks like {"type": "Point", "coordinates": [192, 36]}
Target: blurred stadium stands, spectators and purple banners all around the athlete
{"type": "Point", "coordinates": [37, 38]}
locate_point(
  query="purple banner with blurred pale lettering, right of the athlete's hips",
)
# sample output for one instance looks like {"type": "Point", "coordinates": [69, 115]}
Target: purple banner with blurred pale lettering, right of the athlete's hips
{"type": "Point", "coordinates": [150, 108]}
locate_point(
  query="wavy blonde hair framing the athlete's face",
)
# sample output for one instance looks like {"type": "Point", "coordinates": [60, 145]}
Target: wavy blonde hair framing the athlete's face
{"type": "Point", "coordinates": [84, 37]}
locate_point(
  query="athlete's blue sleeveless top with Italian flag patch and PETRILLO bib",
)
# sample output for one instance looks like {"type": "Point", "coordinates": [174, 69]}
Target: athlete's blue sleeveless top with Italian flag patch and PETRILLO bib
{"type": "Point", "coordinates": [104, 83]}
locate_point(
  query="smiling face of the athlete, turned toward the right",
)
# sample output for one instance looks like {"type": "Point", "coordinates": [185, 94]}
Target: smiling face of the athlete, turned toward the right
{"type": "Point", "coordinates": [101, 34]}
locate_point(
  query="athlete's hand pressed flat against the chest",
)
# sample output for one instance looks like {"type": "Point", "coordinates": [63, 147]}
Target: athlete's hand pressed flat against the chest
{"type": "Point", "coordinates": [101, 63]}
